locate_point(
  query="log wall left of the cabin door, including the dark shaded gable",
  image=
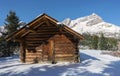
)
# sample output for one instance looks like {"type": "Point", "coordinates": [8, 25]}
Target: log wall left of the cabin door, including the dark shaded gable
{"type": "Point", "coordinates": [38, 40]}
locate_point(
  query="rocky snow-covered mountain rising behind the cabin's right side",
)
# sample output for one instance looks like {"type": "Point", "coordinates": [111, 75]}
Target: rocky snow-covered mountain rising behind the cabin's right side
{"type": "Point", "coordinates": [93, 24]}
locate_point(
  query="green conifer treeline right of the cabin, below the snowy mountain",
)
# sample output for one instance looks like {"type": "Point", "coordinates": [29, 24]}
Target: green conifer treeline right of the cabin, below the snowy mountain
{"type": "Point", "coordinates": [99, 42]}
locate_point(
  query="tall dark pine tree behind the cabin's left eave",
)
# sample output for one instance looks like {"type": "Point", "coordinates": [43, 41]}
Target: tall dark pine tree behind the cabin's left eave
{"type": "Point", "coordinates": [11, 25]}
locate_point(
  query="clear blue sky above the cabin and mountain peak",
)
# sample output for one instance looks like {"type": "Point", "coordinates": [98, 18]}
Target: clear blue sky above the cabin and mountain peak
{"type": "Point", "coordinates": [27, 10]}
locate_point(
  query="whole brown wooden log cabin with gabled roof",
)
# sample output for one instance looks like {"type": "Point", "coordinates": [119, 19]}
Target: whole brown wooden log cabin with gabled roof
{"type": "Point", "coordinates": [44, 40]}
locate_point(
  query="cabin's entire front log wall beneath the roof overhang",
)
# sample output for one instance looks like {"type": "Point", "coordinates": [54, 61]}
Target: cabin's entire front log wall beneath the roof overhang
{"type": "Point", "coordinates": [38, 47]}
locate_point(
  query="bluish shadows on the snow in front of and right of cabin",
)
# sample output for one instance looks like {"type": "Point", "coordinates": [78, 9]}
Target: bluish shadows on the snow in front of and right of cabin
{"type": "Point", "coordinates": [113, 69]}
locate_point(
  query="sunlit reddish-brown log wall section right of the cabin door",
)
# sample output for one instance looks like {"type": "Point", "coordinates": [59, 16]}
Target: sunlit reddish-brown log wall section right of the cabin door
{"type": "Point", "coordinates": [64, 48]}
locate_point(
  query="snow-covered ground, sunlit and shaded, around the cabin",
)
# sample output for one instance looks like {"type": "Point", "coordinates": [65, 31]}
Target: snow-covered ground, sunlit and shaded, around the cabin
{"type": "Point", "coordinates": [93, 63]}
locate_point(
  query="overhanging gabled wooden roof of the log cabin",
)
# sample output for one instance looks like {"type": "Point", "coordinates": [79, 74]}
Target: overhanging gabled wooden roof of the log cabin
{"type": "Point", "coordinates": [36, 23]}
